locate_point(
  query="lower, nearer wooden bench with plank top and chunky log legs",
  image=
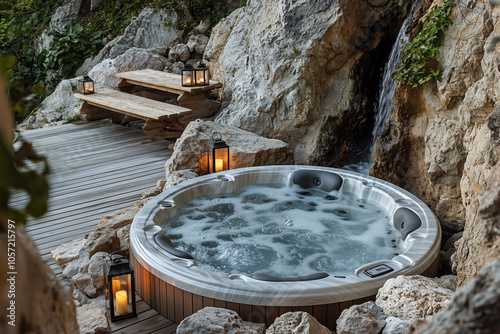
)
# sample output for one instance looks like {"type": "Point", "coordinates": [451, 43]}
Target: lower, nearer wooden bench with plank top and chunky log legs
{"type": "Point", "coordinates": [163, 120]}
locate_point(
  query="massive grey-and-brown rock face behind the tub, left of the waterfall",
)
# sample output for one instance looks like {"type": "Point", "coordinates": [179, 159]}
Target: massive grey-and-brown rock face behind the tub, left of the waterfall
{"type": "Point", "coordinates": [304, 72]}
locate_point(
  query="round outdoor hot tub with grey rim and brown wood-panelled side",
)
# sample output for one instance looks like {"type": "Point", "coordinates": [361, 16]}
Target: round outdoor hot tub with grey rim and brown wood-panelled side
{"type": "Point", "coordinates": [173, 278]}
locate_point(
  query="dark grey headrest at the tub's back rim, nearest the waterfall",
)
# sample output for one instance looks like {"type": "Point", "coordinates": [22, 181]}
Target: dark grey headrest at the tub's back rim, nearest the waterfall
{"type": "Point", "coordinates": [326, 181]}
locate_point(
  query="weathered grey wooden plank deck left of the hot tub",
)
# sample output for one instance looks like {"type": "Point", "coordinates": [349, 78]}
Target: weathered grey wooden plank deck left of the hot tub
{"type": "Point", "coordinates": [96, 169]}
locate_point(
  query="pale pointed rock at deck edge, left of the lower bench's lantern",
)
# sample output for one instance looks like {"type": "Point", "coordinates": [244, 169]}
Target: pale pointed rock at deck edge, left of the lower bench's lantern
{"type": "Point", "coordinates": [60, 105]}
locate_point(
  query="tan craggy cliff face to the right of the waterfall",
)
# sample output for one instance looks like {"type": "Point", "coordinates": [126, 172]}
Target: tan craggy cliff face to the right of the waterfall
{"type": "Point", "coordinates": [437, 141]}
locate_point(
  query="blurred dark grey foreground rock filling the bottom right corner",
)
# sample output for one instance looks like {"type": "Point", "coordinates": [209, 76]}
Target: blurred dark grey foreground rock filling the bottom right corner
{"type": "Point", "coordinates": [474, 307]}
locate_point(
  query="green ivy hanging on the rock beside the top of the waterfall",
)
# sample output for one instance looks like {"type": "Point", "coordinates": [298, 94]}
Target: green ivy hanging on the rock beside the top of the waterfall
{"type": "Point", "coordinates": [413, 68]}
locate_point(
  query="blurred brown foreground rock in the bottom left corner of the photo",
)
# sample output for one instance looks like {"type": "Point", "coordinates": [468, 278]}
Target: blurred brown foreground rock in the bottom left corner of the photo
{"type": "Point", "coordinates": [42, 303]}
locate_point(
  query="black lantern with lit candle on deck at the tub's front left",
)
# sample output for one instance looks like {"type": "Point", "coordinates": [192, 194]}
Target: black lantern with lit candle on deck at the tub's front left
{"type": "Point", "coordinates": [119, 287]}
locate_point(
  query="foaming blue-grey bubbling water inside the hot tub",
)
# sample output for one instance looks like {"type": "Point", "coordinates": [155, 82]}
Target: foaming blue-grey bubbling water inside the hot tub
{"type": "Point", "coordinates": [283, 231]}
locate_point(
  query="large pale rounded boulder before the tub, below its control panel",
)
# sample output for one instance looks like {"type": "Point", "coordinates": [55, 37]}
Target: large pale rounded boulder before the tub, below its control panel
{"type": "Point", "coordinates": [412, 297]}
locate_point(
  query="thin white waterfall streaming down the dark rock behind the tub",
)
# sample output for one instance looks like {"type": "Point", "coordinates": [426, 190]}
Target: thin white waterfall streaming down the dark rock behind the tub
{"type": "Point", "coordinates": [386, 94]}
